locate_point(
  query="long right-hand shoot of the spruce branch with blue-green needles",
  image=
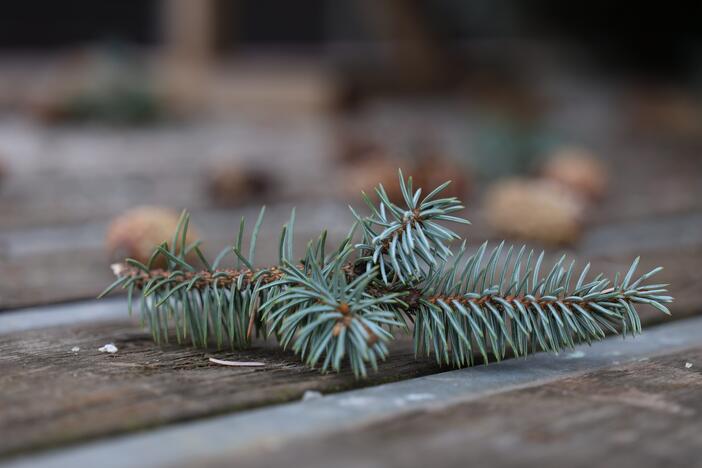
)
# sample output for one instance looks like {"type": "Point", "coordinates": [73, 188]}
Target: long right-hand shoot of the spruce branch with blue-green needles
{"type": "Point", "coordinates": [468, 311]}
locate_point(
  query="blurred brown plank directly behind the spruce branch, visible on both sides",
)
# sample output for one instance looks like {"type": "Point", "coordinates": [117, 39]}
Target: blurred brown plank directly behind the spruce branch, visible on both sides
{"type": "Point", "coordinates": [62, 264]}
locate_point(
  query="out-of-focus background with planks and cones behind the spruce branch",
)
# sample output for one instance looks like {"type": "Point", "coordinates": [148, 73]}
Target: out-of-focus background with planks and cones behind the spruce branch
{"type": "Point", "coordinates": [573, 126]}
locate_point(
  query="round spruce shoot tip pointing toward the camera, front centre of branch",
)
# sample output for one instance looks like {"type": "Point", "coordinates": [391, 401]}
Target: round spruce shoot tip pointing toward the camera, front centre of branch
{"type": "Point", "coordinates": [327, 316]}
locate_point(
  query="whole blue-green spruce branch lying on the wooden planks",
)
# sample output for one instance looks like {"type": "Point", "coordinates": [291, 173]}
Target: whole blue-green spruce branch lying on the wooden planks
{"type": "Point", "coordinates": [400, 277]}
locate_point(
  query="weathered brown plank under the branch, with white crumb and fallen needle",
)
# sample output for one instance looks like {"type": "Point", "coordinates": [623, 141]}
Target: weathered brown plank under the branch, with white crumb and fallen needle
{"type": "Point", "coordinates": [53, 396]}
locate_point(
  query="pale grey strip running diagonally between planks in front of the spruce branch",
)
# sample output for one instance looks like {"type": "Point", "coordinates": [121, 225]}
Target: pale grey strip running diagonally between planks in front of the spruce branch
{"type": "Point", "coordinates": [231, 436]}
